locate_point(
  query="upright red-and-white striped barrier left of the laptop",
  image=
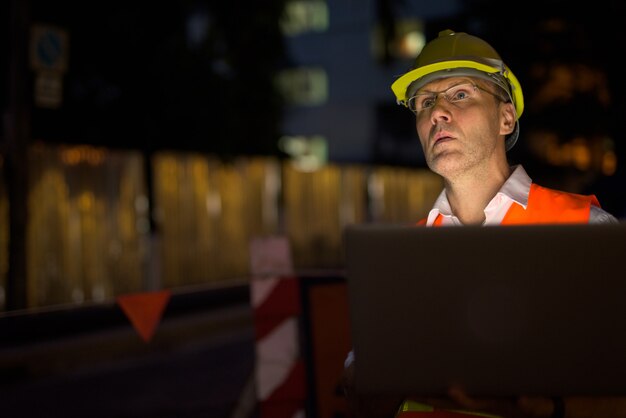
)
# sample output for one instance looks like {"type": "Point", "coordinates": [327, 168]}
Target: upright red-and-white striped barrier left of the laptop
{"type": "Point", "coordinates": [280, 374]}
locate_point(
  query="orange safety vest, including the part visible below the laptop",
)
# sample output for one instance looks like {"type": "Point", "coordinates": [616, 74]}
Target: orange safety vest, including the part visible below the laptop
{"type": "Point", "coordinates": [544, 206]}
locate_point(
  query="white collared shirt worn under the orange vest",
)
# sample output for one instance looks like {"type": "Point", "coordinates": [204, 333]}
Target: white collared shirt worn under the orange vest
{"type": "Point", "coordinates": [514, 190]}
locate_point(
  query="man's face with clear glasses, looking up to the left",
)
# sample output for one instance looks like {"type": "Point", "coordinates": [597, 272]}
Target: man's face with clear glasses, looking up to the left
{"type": "Point", "coordinates": [460, 135]}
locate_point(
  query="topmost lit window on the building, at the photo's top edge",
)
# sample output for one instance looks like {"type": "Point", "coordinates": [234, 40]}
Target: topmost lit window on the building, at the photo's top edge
{"type": "Point", "coordinates": [303, 16]}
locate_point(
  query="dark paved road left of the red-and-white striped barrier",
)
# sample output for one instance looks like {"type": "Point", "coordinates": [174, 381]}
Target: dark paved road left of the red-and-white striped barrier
{"type": "Point", "coordinates": [196, 366]}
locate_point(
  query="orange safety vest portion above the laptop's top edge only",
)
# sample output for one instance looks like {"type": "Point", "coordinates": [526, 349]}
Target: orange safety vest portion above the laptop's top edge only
{"type": "Point", "coordinates": [545, 206]}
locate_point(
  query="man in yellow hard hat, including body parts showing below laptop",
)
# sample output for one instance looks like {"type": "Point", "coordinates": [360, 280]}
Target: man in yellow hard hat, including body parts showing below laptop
{"type": "Point", "coordinates": [467, 104]}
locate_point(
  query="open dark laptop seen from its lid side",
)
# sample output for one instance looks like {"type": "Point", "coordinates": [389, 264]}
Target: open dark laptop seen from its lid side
{"type": "Point", "coordinates": [502, 311]}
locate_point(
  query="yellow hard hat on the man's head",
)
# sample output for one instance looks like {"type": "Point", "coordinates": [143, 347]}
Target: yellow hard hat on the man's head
{"type": "Point", "coordinates": [456, 54]}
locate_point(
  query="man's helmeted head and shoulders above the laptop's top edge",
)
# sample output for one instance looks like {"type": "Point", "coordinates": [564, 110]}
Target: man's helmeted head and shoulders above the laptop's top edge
{"type": "Point", "coordinates": [467, 104]}
